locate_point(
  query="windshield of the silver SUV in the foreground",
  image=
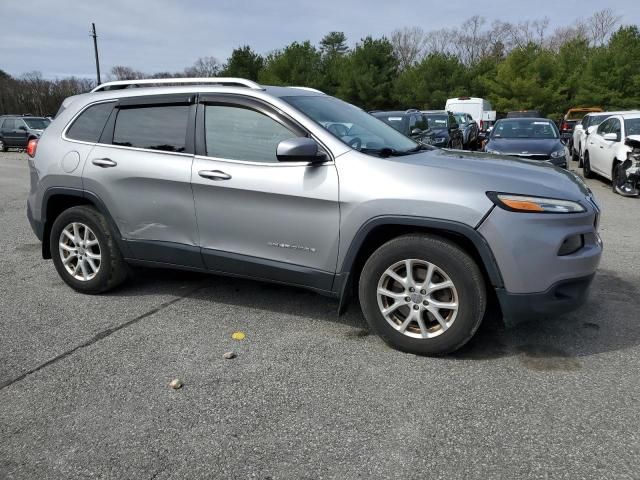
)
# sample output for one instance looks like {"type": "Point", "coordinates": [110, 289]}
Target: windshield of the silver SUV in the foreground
{"type": "Point", "coordinates": [354, 127]}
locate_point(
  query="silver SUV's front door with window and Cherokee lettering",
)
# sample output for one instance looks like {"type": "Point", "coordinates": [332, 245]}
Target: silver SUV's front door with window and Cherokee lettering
{"type": "Point", "coordinates": [257, 216]}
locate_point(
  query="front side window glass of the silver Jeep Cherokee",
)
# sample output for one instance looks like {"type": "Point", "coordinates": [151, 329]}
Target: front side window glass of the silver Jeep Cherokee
{"type": "Point", "coordinates": [238, 133]}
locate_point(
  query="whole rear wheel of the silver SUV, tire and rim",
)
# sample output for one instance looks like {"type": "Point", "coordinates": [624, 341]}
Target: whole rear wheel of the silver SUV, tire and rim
{"type": "Point", "coordinates": [84, 251]}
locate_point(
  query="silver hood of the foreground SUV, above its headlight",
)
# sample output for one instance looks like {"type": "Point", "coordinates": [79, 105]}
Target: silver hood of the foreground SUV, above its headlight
{"type": "Point", "coordinates": [483, 172]}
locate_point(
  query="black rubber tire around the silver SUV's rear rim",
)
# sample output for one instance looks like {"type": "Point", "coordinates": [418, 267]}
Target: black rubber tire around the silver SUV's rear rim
{"type": "Point", "coordinates": [112, 269]}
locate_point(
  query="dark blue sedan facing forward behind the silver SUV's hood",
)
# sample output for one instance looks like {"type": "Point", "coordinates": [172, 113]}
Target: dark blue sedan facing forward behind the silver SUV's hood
{"type": "Point", "coordinates": [531, 138]}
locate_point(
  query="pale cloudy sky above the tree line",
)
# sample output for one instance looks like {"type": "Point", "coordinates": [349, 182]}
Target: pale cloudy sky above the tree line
{"type": "Point", "coordinates": [52, 36]}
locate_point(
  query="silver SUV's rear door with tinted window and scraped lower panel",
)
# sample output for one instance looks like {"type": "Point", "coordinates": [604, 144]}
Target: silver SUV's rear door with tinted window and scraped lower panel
{"type": "Point", "coordinates": [141, 170]}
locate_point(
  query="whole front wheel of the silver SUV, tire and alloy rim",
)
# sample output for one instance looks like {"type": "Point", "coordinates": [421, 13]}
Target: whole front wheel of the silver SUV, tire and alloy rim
{"type": "Point", "coordinates": [422, 294]}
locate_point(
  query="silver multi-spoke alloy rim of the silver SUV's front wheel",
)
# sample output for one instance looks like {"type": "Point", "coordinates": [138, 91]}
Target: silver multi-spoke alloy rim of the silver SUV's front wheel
{"type": "Point", "coordinates": [417, 298]}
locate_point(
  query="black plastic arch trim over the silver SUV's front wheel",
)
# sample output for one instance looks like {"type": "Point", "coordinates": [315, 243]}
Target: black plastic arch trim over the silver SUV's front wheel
{"type": "Point", "coordinates": [471, 234]}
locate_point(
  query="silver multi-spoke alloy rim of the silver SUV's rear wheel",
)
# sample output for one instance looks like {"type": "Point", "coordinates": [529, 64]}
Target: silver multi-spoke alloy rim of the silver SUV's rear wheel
{"type": "Point", "coordinates": [80, 251]}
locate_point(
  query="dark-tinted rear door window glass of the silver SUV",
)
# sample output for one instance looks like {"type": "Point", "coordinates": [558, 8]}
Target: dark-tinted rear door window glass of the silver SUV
{"type": "Point", "coordinates": [155, 128]}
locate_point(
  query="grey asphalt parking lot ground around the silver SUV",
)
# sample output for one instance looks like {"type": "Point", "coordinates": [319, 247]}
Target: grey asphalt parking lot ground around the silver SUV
{"type": "Point", "coordinates": [84, 379]}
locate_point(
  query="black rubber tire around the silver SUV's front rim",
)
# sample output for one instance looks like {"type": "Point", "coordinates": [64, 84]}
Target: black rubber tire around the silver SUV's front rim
{"type": "Point", "coordinates": [447, 256]}
